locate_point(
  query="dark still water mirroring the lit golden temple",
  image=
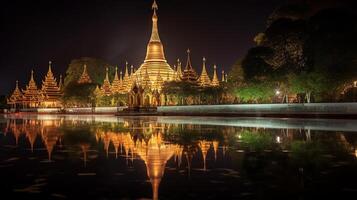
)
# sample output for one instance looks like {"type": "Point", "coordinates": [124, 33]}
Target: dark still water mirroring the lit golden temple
{"type": "Point", "coordinates": [106, 157]}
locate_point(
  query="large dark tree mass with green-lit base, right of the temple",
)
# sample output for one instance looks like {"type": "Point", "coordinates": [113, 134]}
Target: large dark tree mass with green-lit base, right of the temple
{"type": "Point", "coordinates": [301, 52]}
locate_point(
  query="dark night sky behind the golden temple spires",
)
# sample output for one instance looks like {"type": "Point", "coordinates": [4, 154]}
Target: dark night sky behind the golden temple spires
{"type": "Point", "coordinates": [34, 32]}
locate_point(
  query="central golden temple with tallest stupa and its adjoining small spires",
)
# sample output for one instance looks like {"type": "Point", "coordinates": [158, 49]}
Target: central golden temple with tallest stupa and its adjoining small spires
{"type": "Point", "coordinates": [144, 86]}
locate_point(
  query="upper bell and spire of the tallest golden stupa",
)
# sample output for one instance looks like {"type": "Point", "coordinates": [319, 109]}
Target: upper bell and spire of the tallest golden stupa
{"type": "Point", "coordinates": [155, 58]}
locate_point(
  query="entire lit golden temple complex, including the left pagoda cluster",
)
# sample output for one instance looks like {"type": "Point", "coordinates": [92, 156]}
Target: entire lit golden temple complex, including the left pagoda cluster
{"type": "Point", "coordinates": [143, 87]}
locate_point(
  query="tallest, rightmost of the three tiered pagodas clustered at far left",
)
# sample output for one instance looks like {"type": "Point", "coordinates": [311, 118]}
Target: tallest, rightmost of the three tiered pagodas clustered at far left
{"type": "Point", "coordinates": [50, 90]}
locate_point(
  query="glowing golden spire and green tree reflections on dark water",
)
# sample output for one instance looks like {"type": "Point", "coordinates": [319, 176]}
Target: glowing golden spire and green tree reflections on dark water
{"type": "Point", "coordinates": [187, 147]}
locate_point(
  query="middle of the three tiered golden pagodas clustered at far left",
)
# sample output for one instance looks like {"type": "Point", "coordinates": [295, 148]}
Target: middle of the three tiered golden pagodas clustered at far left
{"type": "Point", "coordinates": [32, 96]}
